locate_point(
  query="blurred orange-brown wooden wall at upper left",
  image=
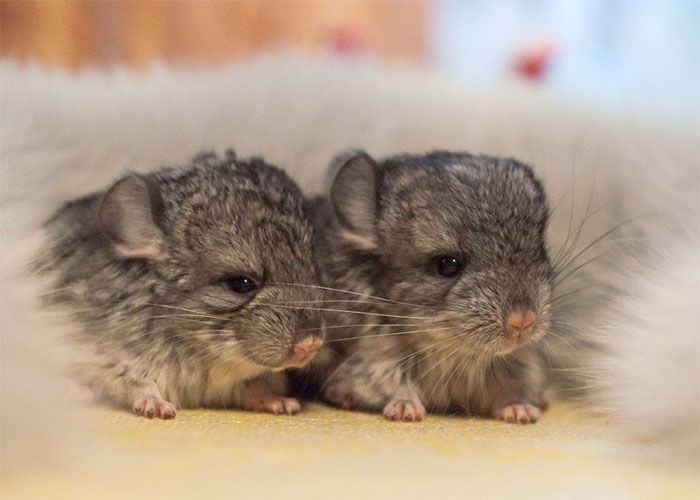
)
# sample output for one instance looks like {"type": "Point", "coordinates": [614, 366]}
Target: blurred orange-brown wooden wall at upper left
{"type": "Point", "coordinates": [77, 33]}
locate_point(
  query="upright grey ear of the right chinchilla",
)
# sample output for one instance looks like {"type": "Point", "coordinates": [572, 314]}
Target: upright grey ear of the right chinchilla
{"type": "Point", "coordinates": [354, 197]}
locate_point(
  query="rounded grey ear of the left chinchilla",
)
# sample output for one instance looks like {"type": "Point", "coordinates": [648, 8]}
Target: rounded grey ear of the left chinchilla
{"type": "Point", "coordinates": [130, 216]}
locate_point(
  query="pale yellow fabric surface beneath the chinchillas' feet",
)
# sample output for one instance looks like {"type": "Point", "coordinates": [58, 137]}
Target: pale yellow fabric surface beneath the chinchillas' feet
{"type": "Point", "coordinates": [335, 454]}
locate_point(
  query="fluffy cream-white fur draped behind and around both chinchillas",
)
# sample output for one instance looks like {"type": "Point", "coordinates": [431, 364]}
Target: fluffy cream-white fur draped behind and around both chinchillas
{"type": "Point", "coordinates": [62, 137]}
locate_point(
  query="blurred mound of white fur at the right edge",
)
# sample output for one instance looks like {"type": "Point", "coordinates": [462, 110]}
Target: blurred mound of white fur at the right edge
{"type": "Point", "coordinates": [650, 372]}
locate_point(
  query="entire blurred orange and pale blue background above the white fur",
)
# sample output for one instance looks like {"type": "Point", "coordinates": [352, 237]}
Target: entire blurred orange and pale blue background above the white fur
{"type": "Point", "coordinates": [621, 52]}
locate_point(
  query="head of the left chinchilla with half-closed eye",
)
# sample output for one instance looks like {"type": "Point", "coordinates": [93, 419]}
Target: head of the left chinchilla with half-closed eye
{"type": "Point", "coordinates": [228, 246]}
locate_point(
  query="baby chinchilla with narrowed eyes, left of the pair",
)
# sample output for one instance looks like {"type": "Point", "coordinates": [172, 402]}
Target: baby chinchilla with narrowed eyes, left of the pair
{"type": "Point", "coordinates": [181, 281]}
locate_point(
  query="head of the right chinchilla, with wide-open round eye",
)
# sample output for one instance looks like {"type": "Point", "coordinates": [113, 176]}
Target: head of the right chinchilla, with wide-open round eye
{"type": "Point", "coordinates": [456, 240]}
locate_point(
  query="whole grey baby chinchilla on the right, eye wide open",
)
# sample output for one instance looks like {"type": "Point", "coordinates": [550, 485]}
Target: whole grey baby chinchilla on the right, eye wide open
{"type": "Point", "coordinates": [445, 255]}
